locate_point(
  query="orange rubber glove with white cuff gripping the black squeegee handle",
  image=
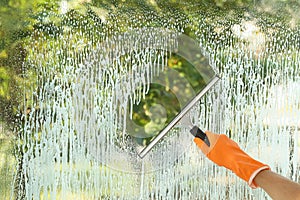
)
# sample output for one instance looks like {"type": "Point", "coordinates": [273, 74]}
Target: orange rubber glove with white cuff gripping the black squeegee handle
{"type": "Point", "coordinates": [225, 152]}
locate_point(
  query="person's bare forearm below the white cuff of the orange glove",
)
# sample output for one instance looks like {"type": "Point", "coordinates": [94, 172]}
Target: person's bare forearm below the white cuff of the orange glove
{"type": "Point", "coordinates": [278, 187]}
